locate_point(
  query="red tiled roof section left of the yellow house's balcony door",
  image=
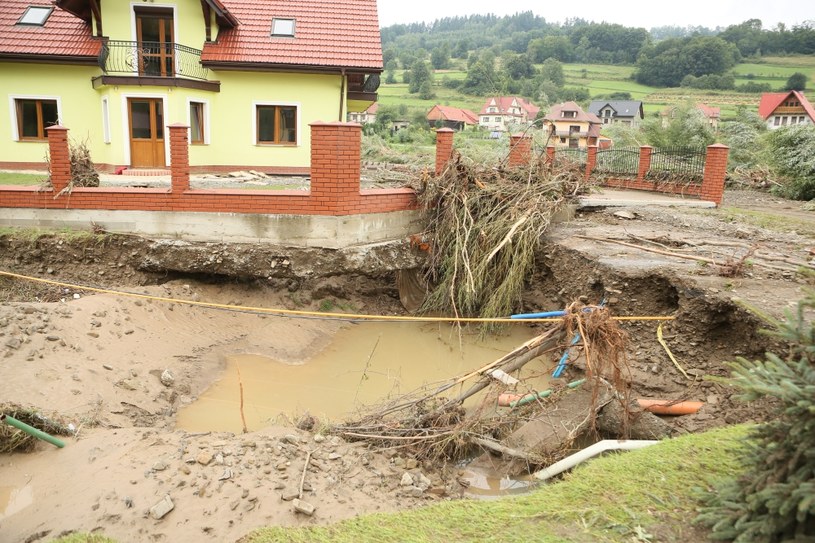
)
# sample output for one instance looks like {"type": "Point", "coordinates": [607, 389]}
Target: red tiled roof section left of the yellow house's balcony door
{"type": "Point", "coordinates": [62, 35]}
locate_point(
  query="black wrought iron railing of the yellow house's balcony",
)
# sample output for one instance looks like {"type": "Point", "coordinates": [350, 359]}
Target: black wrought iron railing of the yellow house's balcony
{"type": "Point", "coordinates": [151, 59]}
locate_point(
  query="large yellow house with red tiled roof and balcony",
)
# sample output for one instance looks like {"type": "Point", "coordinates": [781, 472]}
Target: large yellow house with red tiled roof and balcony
{"type": "Point", "coordinates": [247, 77]}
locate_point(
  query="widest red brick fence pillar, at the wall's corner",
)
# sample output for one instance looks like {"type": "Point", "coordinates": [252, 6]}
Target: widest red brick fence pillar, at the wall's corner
{"type": "Point", "coordinates": [335, 167]}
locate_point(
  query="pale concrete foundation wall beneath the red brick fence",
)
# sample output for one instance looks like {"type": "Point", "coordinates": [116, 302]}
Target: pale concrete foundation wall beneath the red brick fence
{"type": "Point", "coordinates": [319, 231]}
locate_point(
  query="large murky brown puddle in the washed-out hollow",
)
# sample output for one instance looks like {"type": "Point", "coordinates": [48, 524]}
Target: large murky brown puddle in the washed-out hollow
{"type": "Point", "coordinates": [364, 365]}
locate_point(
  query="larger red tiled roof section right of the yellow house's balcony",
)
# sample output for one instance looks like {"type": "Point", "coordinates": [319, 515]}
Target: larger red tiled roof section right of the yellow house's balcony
{"type": "Point", "coordinates": [338, 33]}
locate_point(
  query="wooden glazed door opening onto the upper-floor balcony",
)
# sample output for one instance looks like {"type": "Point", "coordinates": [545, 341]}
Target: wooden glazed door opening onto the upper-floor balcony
{"type": "Point", "coordinates": [154, 31]}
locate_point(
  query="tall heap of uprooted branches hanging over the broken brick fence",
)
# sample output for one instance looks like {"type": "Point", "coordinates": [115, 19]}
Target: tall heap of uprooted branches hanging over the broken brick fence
{"type": "Point", "coordinates": [485, 226]}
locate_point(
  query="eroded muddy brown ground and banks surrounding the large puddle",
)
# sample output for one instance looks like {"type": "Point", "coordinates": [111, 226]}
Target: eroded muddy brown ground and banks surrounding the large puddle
{"type": "Point", "coordinates": [119, 368]}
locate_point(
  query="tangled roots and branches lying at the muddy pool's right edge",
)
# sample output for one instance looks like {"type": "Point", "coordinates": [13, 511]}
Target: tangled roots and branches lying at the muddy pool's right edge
{"type": "Point", "coordinates": [429, 424]}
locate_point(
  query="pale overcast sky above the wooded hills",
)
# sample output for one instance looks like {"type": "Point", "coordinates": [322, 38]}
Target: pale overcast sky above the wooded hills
{"type": "Point", "coordinates": [709, 13]}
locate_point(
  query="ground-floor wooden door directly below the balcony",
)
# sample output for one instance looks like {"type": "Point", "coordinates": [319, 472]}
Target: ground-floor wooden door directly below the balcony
{"type": "Point", "coordinates": [146, 117]}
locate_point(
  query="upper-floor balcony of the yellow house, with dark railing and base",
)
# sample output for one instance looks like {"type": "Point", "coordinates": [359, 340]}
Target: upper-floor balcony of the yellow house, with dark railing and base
{"type": "Point", "coordinates": [152, 64]}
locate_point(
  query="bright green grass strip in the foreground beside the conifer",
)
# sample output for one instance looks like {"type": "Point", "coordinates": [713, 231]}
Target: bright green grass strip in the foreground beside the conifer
{"type": "Point", "coordinates": [617, 498]}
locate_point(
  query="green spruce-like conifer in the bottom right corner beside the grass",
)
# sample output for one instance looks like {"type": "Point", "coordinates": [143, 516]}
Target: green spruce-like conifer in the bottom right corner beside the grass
{"type": "Point", "coordinates": [774, 501]}
